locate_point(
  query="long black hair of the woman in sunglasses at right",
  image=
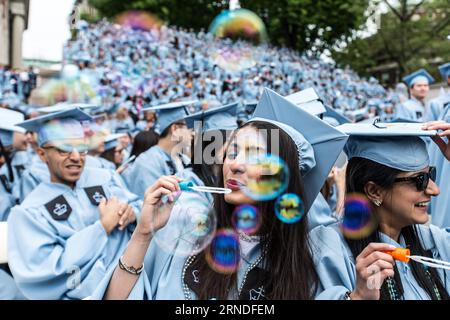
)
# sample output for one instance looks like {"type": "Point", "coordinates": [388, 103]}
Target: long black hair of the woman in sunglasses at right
{"type": "Point", "coordinates": [359, 172]}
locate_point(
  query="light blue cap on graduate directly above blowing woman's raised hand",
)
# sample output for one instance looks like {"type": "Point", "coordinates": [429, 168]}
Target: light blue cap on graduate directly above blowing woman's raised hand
{"type": "Point", "coordinates": [169, 113]}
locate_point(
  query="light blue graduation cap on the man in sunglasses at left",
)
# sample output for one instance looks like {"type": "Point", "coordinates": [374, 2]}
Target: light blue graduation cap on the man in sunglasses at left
{"type": "Point", "coordinates": [57, 126]}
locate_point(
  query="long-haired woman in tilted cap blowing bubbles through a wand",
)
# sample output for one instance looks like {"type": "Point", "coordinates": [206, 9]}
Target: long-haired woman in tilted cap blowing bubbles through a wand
{"type": "Point", "coordinates": [276, 261]}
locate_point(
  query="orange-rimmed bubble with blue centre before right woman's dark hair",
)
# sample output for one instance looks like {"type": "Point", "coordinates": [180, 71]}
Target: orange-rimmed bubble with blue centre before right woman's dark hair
{"type": "Point", "coordinates": [358, 221]}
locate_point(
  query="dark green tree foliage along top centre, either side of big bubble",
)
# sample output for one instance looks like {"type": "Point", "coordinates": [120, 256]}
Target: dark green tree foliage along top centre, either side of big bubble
{"type": "Point", "coordinates": [305, 25]}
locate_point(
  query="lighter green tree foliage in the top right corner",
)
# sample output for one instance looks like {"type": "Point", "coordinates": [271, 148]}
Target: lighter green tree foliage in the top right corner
{"type": "Point", "coordinates": [412, 34]}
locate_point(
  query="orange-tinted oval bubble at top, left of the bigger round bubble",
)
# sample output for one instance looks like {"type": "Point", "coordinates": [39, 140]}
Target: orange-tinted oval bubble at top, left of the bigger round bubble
{"type": "Point", "coordinates": [138, 20]}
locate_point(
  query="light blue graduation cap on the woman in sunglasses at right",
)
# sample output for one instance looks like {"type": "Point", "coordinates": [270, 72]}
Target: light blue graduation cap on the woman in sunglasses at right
{"type": "Point", "coordinates": [396, 145]}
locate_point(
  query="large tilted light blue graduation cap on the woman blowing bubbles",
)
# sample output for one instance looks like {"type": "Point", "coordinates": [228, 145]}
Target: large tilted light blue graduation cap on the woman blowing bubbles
{"type": "Point", "coordinates": [318, 144]}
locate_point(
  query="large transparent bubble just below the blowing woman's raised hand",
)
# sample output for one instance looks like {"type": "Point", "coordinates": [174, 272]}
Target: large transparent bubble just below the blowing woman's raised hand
{"type": "Point", "coordinates": [191, 226]}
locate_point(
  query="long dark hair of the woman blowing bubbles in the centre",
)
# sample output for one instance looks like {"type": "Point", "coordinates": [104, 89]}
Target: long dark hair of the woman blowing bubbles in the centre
{"type": "Point", "coordinates": [290, 272]}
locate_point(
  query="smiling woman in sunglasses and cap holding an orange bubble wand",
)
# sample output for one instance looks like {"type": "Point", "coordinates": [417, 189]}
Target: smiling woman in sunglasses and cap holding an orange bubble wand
{"type": "Point", "coordinates": [393, 174]}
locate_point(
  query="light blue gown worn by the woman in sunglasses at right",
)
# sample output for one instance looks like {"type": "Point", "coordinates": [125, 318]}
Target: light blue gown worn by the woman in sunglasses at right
{"type": "Point", "coordinates": [335, 263]}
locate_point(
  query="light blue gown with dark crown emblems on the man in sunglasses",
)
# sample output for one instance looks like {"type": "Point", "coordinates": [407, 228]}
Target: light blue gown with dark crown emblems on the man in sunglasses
{"type": "Point", "coordinates": [58, 248]}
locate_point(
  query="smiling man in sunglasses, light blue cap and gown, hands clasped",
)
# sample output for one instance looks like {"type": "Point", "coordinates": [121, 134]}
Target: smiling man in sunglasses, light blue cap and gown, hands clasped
{"type": "Point", "coordinates": [68, 231]}
